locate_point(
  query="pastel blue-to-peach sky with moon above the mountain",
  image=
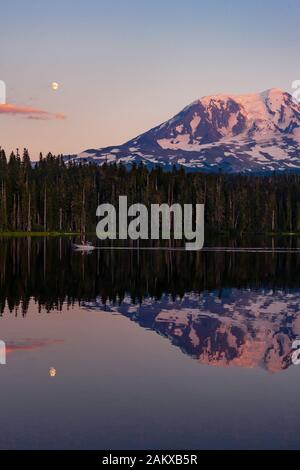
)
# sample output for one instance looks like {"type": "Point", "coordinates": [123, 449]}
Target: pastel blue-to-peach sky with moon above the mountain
{"type": "Point", "coordinates": [125, 66]}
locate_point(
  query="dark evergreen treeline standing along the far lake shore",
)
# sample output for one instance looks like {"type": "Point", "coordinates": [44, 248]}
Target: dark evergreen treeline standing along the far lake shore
{"type": "Point", "coordinates": [54, 195]}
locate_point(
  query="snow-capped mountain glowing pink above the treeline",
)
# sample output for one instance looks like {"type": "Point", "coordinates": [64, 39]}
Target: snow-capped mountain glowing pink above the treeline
{"type": "Point", "coordinates": [258, 132]}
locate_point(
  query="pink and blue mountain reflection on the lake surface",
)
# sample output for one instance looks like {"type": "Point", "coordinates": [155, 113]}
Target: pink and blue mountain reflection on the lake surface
{"type": "Point", "coordinates": [233, 328]}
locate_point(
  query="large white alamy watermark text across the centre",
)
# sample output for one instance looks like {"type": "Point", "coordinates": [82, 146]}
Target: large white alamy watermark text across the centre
{"type": "Point", "coordinates": [165, 220]}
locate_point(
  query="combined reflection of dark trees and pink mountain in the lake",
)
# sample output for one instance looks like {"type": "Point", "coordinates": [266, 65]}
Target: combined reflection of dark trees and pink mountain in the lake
{"type": "Point", "coordinates": [243, 310]}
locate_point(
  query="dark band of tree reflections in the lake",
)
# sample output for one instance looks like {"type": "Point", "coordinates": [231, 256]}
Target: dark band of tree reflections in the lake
{"type": "Point", "coordinates": [50, 272]}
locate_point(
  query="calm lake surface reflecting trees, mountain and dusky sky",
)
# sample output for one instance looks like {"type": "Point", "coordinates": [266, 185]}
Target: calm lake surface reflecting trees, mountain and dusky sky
{"type": "Point", "coordinates": [162, 349]}
